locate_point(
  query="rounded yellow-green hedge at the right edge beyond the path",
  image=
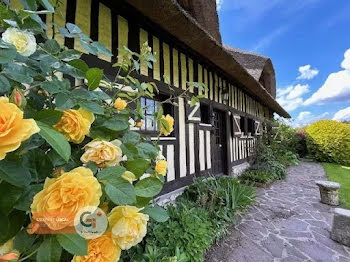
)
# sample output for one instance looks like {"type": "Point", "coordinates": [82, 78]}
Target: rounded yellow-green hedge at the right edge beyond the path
{"type": "Point", "coordinates": [329, 141]}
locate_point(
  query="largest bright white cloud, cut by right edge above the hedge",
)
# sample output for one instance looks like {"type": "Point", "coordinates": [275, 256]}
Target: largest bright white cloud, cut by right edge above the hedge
{"type": "Point", "coordinates": [336, 87]}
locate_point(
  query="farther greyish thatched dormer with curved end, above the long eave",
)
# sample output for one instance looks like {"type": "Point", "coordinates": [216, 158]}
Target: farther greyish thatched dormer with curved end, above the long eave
{"type": "Point", "coordinates": [259, 66]}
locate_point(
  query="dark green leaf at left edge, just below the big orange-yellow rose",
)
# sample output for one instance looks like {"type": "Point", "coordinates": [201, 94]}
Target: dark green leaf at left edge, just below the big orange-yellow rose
{"type": "Point", "coordinates": [14, 173]}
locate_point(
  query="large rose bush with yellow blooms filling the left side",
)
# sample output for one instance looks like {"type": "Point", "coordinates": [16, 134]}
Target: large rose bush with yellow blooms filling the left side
{"type": "Point", "coordinates": [66, 144]}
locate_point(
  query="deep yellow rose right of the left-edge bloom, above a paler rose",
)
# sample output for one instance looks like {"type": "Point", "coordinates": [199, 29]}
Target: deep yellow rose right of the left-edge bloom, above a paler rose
{"type": "Point", "coordinates": [75, 124]}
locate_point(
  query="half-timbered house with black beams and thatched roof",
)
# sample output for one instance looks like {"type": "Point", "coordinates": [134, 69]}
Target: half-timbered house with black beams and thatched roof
{"type": "Point", "coordinates": [219, 134]}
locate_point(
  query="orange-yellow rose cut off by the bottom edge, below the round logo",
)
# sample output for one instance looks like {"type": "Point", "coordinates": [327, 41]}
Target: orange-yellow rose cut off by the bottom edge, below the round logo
{"type": "Point", "coordinates": [101, 249]}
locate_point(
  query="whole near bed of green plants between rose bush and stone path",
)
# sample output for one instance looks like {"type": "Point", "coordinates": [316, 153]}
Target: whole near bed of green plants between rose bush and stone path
{"type": "Point", "coordinates": [200, 217]}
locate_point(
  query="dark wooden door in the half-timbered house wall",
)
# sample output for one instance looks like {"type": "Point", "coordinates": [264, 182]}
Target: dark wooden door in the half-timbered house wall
{"type": "Point", "coordinates": [219, 142]}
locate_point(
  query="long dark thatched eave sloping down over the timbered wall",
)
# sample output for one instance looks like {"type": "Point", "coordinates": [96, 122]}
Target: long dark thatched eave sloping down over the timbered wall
{"type": "Point", "coordinates": [175, 20]}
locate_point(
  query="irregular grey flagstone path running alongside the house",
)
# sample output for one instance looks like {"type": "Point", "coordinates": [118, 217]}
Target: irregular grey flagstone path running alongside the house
{"type": "Point", "coordinates": [287, 224]}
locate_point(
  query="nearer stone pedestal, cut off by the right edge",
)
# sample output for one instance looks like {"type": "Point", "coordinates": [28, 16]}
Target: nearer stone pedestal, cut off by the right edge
{"type": "Point", "coordinates": [341, 226]}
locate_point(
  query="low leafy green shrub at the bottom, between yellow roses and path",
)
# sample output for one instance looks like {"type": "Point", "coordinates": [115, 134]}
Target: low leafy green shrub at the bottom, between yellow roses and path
{"type": "Point", "coordinates": [189, 232]}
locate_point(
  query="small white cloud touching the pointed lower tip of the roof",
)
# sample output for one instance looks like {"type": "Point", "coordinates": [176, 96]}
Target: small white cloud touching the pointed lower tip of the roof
{"type": "Point", "coordinates": [291, 98]}
